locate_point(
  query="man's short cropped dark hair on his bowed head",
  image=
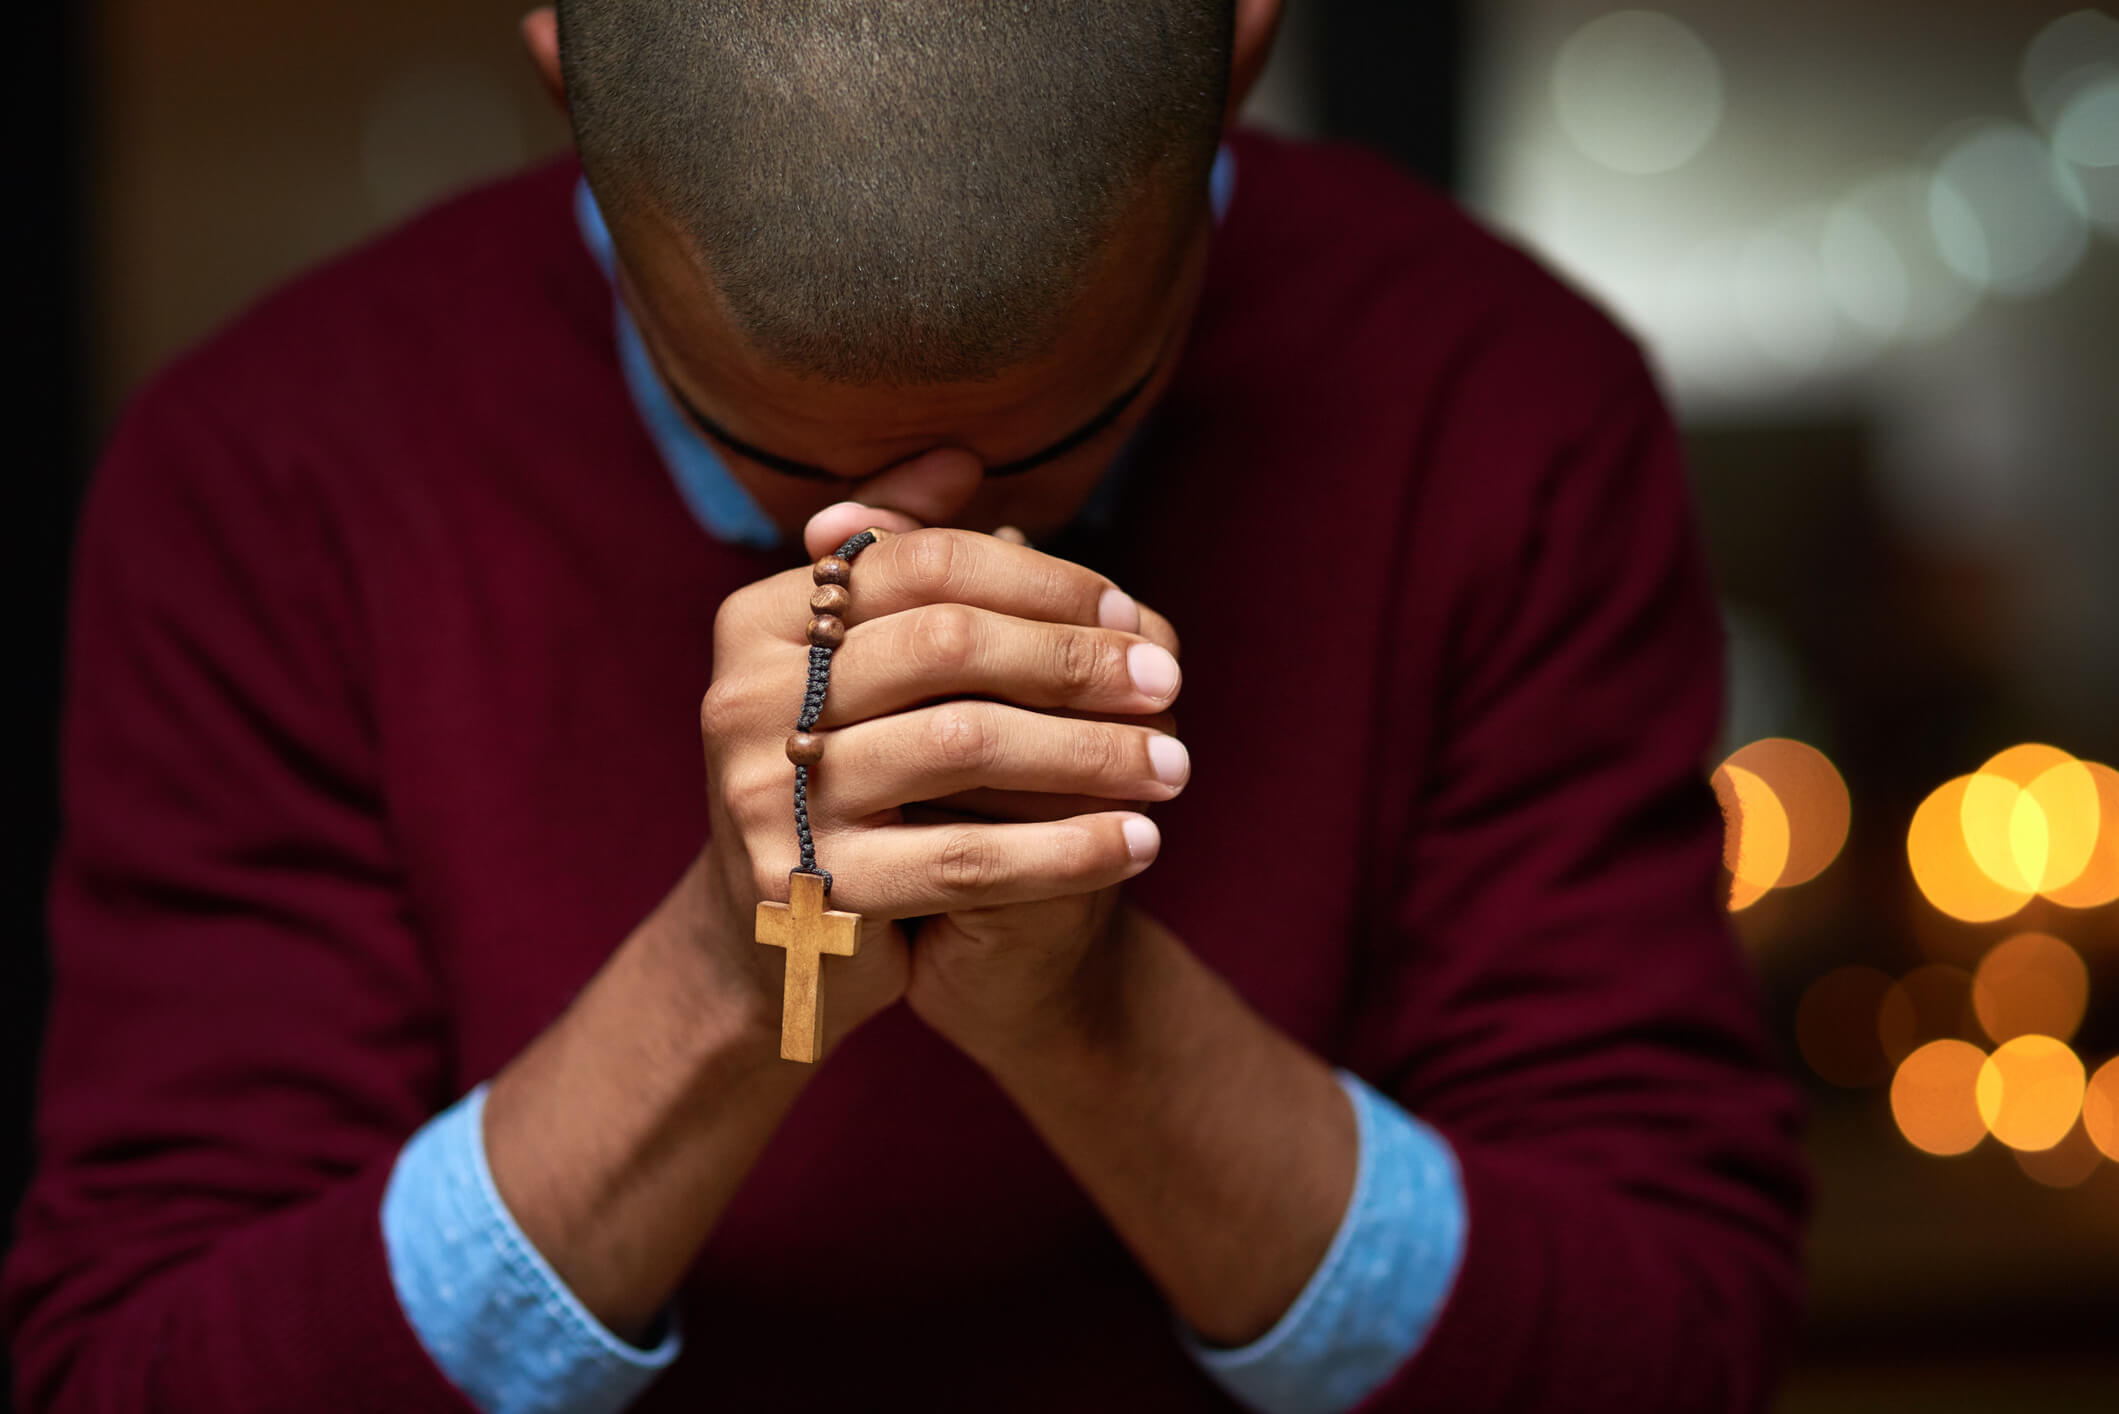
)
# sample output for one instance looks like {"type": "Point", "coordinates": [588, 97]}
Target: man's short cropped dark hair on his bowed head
{"type": "Point", "coordinates": [902, 192]}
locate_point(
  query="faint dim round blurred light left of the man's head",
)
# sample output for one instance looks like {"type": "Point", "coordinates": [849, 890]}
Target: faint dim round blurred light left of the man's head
{"type": "Point", "coordinates": [433, 128]}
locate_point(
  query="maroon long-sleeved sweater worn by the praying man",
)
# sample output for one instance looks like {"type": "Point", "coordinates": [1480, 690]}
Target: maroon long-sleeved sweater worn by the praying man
{"type": "Point", "coordinates": [380, 735]}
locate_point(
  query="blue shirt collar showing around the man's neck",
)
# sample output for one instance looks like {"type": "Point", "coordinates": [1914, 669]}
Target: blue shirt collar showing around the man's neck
{"type": "Point", "coordinates": [715, 497]}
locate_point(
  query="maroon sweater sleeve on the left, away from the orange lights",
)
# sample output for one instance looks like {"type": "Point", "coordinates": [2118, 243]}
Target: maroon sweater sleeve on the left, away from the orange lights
{"type": "Point", "coordinates": [245, 1027]}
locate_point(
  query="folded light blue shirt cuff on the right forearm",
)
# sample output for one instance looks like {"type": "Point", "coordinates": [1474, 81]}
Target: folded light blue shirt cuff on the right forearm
{"type": "Point", "coordinates": [1381, 1286]}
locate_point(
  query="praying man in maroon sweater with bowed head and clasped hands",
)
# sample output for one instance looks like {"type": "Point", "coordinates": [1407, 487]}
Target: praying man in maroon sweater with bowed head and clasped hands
{"type": "Point", "coordinates": [412, 1046]}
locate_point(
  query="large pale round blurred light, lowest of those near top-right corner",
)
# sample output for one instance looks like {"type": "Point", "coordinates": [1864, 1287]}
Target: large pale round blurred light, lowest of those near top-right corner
{"type": "Point", "coordinates": [2008, 215]}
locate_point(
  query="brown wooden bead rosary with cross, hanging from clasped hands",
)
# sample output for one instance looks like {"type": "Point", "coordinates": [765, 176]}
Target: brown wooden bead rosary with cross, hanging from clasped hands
{"type": "Point", "coordinates": [804, 925]}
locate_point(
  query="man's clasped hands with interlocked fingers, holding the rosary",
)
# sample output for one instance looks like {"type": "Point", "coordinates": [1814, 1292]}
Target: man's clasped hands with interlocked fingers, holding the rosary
{"type": "Point", "coordinates": [993, 720]}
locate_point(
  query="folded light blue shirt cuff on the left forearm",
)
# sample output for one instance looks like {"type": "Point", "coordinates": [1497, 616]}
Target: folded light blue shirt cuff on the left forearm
{"type": "Point", "coordinates": [484, 1303]}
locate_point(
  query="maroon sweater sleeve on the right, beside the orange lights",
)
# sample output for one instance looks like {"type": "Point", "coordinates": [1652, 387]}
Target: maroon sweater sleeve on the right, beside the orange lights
{"type": "Point", "coordinates": [1554, 983]}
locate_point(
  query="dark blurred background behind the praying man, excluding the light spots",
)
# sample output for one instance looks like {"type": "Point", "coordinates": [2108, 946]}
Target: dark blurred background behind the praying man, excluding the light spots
{"type": "Point", "coordinates": [1917, 546]}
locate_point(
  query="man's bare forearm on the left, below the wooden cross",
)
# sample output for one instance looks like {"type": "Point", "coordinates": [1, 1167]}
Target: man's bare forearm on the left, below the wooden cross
{"type": "Point", "coordinates": [624, 1131]}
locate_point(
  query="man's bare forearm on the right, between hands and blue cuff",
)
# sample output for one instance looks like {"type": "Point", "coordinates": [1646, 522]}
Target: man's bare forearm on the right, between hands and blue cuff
{"type": "Point", "coordinates": [1219, 1150]}
